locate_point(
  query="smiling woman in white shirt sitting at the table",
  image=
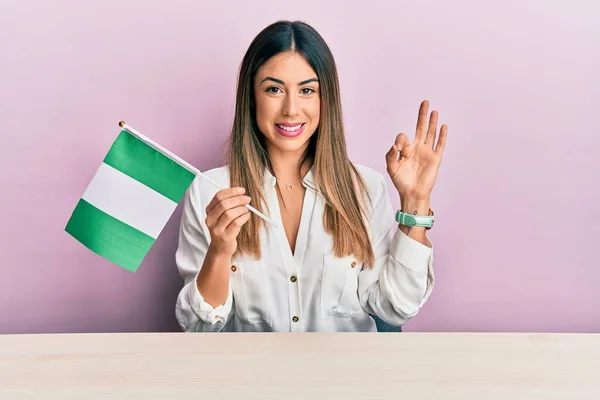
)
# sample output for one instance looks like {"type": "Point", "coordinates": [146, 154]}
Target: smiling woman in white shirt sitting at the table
{"type": "Point", "coordinates": [338, 256]}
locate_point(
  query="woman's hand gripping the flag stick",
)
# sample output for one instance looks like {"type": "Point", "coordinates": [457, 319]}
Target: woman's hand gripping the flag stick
{"type": "Point", "coordinates": [225, 215]}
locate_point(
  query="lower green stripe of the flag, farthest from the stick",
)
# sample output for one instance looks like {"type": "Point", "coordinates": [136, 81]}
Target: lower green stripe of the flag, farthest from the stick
{"type": "Point", "coordinates": [108, 237]}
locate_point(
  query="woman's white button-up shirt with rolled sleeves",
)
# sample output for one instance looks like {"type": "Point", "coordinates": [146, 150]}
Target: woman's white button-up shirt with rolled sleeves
{"type": "Point", "coordinates": [311, 289]}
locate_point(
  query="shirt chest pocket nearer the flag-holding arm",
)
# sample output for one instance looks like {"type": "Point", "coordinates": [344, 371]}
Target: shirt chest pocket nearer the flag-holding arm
{"type": "Point", "coordinates": [249, 285]}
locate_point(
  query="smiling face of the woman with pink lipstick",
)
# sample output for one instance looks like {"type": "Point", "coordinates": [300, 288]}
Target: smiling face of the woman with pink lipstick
{"type": "Point", "coordinates": [287, 102]}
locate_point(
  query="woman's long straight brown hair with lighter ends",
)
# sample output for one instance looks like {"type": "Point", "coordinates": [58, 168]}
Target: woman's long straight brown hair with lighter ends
{"type": "Point", "coordinates": [336, 178]}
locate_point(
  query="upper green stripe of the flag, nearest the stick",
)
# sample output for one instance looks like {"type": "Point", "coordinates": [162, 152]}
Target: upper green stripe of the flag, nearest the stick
{"type": "Point", "coordinates": [149, 166]}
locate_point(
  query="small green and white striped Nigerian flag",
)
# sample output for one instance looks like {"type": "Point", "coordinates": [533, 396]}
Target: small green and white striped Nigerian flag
{"type": "Point", "coordinates": [130, 199]}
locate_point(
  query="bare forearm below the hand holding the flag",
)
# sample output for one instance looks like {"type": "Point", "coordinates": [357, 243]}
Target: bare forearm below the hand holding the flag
{"type": "Point", "coordinates": [213, 279]}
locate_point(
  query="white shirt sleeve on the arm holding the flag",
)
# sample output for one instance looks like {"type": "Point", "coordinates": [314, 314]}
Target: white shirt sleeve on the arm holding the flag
{"type": "Point", "coordinates": [192, 312]}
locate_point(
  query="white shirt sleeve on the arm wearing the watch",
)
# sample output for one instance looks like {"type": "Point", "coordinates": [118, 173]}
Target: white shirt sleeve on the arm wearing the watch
{"type": "Point", "coordinates": [401, 279]}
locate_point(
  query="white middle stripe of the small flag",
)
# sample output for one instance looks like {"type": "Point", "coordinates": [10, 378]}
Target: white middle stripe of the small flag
{"type": "Point", "coordinates": [129, 201]}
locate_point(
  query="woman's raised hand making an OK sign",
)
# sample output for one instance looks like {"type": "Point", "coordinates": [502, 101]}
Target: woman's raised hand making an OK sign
{"type": "Point", "coordinates": [414, 170]}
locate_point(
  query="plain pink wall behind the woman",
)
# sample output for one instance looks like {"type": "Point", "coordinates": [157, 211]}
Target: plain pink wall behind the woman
{"type": "Point", "coordinates": [516, 201]}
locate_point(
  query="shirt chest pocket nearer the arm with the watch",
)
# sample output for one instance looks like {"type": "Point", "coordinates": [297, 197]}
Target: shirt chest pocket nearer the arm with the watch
{"type": "Point", "coordinates": [339, 286]}
